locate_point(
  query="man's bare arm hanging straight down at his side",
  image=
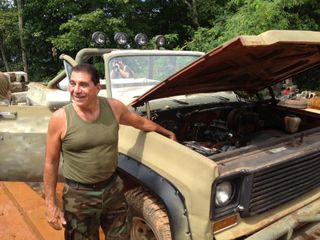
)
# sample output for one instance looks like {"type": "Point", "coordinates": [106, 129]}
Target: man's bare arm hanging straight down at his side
{"type": "Point", "coordinates": [50, 177]}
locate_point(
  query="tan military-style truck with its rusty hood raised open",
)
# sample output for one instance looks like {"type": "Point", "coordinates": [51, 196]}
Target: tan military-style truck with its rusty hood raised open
{"type": "Point", "coordinates": [245, 165]}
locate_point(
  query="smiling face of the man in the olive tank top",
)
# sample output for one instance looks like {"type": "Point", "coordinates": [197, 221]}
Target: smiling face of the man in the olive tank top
{"type": "Point", "coordinates": [82, 89]}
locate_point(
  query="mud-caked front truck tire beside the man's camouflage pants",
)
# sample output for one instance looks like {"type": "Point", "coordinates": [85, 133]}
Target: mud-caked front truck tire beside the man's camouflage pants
{"type": "Point", "coordinates": [150, 219]}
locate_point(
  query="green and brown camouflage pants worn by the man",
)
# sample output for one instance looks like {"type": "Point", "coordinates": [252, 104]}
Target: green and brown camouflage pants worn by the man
{"type": "Point", "coordinates": [86, 210]}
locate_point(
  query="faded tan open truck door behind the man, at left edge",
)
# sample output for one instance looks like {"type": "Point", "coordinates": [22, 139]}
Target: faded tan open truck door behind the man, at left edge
{"type": "Point", "coordinates": [22, 143]}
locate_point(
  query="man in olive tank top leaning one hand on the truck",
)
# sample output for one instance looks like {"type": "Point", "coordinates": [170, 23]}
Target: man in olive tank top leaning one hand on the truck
{"type": "Point", "coordinates": [86, 133]}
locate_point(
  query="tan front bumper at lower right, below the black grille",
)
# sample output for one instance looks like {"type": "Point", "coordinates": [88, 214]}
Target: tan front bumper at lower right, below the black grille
{"type": "Point", "coordinates": [307, 218]}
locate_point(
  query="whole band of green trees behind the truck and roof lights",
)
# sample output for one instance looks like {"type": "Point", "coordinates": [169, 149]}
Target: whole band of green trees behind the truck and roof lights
{"type": "Point", "coordinates": [55, 26]}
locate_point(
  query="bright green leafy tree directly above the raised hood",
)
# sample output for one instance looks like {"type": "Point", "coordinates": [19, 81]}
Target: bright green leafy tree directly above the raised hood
{"type": "Point", "coordinates": [256, 16]}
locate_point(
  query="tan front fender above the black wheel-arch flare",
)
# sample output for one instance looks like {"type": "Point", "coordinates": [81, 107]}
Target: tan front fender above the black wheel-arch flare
{"type": "Point", "coordinates": [191, 173]}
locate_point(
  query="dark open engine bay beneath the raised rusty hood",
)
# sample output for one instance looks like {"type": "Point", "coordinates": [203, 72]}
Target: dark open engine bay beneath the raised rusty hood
{"type": "Point", "coordinates": [211, 129]}
